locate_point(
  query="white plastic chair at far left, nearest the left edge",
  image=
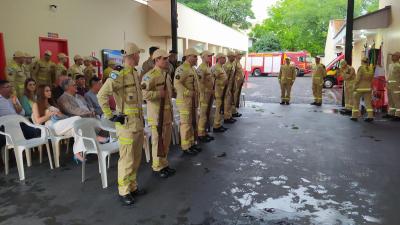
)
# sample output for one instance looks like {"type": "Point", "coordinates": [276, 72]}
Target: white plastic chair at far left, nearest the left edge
{"type": "Point", "coordinates": [15, 139]}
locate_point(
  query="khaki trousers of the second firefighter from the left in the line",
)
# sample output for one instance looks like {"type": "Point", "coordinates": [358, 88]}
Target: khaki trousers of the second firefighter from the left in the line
{"type": "Point", "coordinates": [158, 162]}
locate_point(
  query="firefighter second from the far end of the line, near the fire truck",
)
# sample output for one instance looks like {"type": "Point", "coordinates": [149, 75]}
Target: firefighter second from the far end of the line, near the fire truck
{"type": "Point", "coordinates": [229, 68]}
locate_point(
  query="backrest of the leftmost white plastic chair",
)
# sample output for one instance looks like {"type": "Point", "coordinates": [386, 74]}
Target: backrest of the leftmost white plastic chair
{"type": "Point", "coordinates": [11, 124]}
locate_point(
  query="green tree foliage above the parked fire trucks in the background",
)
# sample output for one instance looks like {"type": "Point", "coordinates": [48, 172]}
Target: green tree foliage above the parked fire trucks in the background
{"type": "Point", "coordinates": [303, 24]}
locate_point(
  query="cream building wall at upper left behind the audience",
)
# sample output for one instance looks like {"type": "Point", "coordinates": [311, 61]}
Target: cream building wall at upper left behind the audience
{"type": "Point", "coordinates": [89, 26]}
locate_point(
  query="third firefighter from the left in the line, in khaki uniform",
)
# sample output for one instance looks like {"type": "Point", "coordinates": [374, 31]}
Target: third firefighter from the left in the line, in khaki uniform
{"type": "Point", "coordinates": [186, 86]}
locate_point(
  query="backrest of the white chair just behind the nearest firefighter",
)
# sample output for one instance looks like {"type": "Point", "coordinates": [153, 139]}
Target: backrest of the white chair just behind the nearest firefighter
{"type": "Point", "coordinates": [85, 127]}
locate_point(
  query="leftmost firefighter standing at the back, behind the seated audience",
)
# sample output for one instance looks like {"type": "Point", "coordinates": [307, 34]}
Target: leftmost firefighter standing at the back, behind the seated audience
{"type": "Point", "coordinates": [15, 73]}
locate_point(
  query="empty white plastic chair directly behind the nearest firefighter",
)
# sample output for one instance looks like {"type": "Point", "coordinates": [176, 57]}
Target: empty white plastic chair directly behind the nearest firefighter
{"type": "Point", "coordinates": [85, 129]}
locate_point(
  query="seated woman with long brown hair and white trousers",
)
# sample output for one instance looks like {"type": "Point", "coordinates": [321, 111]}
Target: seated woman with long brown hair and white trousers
{"type": "Point", "coordinates": [44, 111]}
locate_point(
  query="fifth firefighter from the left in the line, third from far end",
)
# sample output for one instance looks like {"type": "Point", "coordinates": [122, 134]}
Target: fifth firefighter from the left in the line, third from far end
{"type": "Point", "coordinates": [221, 79]}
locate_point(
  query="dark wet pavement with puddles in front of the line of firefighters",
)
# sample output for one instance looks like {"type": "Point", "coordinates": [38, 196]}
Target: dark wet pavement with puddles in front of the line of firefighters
{"type": "Point", "coordinates": [281, 165]}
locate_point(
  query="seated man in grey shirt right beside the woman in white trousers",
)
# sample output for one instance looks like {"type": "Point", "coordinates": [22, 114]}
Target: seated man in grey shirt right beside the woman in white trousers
{"type": "Point", "coordinates": [72, 104]}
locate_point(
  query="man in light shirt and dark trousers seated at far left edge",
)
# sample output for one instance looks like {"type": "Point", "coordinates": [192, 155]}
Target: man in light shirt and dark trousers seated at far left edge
{"type": "Point", "coordinates": [9, 105]}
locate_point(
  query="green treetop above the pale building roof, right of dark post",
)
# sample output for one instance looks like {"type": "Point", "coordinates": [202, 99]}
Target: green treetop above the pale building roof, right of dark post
{"type": "Point", "coordinates": [233, 13]}
